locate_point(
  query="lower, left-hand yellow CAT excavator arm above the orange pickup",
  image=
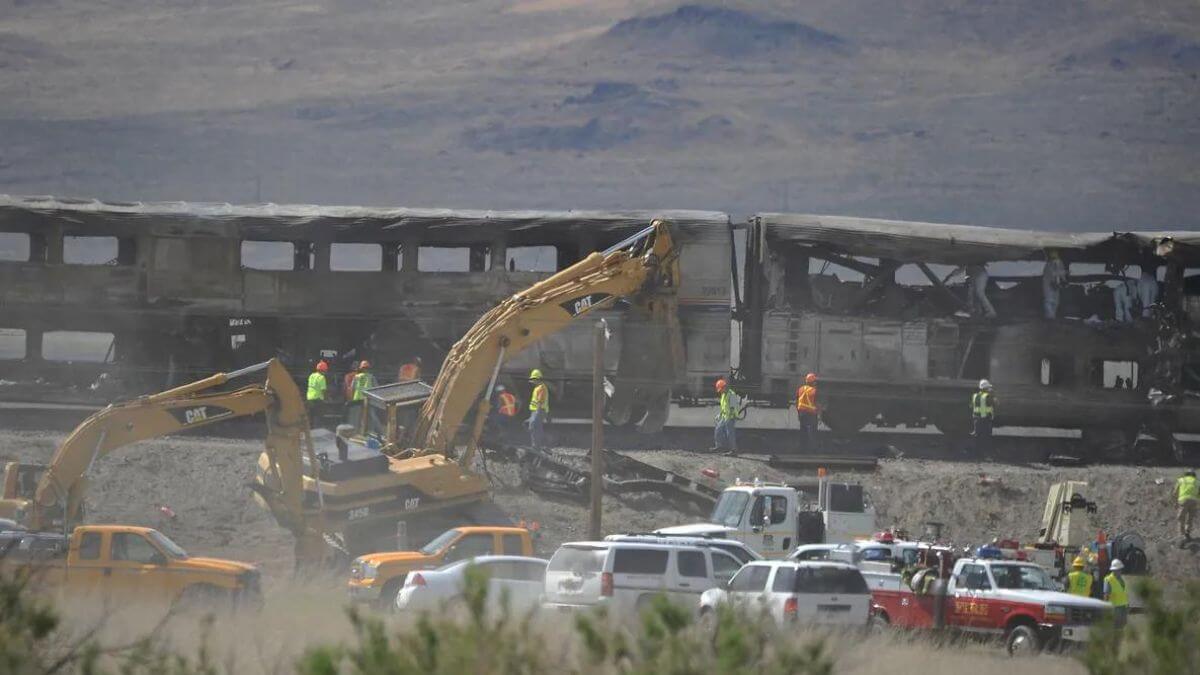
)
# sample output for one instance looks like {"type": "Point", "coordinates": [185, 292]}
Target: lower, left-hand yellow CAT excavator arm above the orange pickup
{"type": "Point", "coordinates": [190, 407]}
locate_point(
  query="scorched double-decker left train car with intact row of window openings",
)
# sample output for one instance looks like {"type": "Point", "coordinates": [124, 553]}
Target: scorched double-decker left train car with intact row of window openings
{"type": "Point", "coordinates": [107, 301]}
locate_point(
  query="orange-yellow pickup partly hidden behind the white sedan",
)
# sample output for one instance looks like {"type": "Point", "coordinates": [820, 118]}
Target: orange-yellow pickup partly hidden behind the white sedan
{"type": "Point", "coordinates": [377, 578]}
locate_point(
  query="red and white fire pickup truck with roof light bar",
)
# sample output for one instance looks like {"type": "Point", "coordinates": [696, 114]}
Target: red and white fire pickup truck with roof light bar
{"type": "Point", "coordinates": [1016, 601]}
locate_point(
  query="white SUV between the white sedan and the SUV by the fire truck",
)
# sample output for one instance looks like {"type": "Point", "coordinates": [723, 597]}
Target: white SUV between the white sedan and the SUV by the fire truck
{"type": "Point", "coordinates": [626, 576]}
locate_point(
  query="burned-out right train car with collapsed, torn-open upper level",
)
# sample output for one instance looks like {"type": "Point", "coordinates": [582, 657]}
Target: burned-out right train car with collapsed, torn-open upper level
{"type": "Point", "coordinates": [883, 312]}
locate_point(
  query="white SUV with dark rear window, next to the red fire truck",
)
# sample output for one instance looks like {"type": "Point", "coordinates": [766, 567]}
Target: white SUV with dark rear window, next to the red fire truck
{"type": "Point", "coordinates": [817, 593]}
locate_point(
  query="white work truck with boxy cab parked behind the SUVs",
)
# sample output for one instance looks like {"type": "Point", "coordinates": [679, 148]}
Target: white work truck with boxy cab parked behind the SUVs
{"type": "Point", "coordinates": [772, 519]}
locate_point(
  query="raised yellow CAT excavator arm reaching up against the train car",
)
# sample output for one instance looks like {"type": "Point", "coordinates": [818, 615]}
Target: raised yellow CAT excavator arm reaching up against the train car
{"type": "Point", "coordinates": [644, 270]}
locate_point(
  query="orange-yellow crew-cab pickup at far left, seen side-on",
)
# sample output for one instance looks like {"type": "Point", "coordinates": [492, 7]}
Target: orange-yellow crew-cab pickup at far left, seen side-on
{"type": "Point", "coordinates": [123, 563]}
